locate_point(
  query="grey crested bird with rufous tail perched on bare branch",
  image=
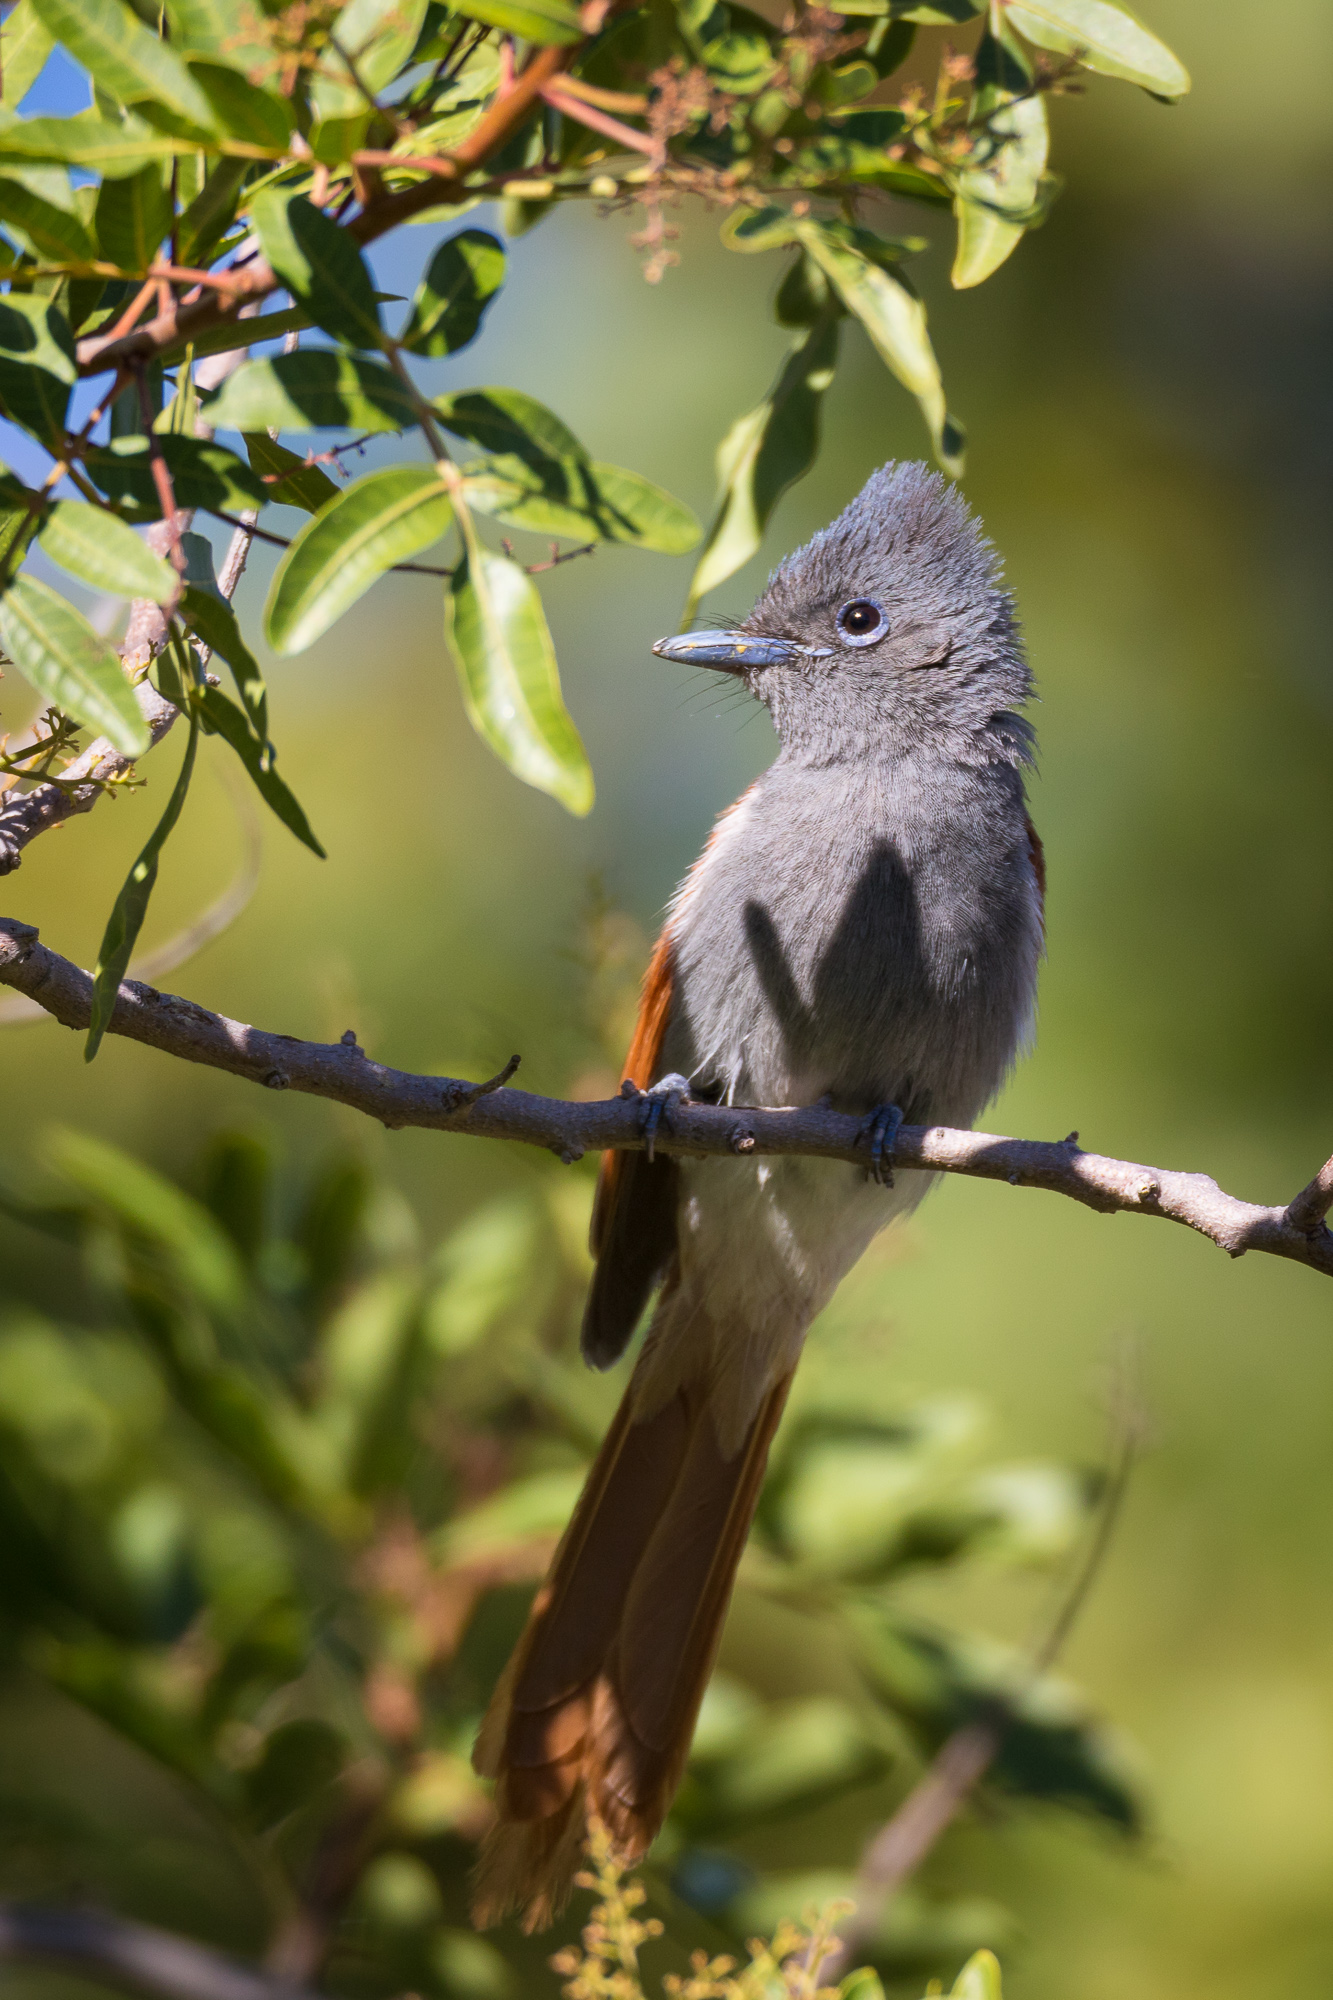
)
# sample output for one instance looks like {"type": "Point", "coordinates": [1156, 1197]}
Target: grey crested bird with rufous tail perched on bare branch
{"type": "Point", "coordinates": [864, 929]}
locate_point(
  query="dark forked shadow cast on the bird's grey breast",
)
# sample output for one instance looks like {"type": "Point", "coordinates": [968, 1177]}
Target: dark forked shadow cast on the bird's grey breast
{"type": "Point", "coordinates": [872, 969]}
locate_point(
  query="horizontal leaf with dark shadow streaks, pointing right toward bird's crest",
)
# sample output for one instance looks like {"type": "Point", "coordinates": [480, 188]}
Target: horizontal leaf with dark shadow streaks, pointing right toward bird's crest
{"type": "Point", "coordinates": [581, 501]}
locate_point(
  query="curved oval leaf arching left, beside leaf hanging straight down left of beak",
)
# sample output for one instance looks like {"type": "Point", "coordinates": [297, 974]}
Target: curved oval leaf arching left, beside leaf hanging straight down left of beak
{"type": "Point", "coordinates": [381, 519]}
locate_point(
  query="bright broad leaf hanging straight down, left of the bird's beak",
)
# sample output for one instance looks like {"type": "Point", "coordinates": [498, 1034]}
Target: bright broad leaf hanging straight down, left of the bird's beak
{"type": "Point", "coordinates": [511, 685]}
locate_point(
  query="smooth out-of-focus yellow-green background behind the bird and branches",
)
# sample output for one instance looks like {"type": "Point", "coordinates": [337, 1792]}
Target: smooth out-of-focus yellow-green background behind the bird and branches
{"type": "Point", "coordinates": [1152, 433]}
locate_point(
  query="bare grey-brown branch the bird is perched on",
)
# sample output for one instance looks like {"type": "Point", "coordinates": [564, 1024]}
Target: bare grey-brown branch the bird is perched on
{"type": "Point", "coordinates": [345, 1075]}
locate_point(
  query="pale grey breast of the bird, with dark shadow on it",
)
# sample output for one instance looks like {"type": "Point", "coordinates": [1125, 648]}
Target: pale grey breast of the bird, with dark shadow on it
{"type": "Point", "coordinates": [864, 931]}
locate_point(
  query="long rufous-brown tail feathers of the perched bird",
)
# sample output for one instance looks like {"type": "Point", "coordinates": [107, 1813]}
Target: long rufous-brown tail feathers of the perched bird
{"type": "Point", "coordinates": [597, 1707]}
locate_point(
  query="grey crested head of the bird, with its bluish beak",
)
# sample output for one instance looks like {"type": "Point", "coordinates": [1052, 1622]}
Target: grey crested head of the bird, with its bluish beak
{"type": "Point", "coordinates": [890, 633]}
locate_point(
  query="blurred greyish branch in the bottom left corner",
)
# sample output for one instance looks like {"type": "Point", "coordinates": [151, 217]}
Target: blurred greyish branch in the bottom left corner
{"type": "Point", "coordinates": [151, 1961]}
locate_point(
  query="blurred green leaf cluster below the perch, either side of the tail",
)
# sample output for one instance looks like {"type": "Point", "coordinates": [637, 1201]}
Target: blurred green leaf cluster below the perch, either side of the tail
{"type": "Point", "coordinates": [273, 1507]}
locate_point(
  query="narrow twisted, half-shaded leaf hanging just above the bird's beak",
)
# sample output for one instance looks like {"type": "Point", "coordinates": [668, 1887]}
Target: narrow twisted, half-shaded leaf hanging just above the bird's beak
{"type": "Point", "coordinates": [764, 455]}
